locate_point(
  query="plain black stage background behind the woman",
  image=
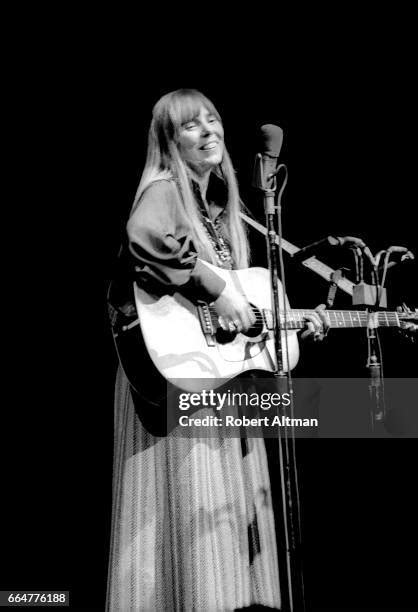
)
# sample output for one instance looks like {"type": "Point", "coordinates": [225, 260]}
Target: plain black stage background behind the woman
{"type": "Point", "coordinates": [350, 136]}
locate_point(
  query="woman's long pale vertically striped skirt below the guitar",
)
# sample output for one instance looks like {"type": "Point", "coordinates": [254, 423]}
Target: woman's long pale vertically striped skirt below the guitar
{"type": "Point", "coordinates": [192, 524]}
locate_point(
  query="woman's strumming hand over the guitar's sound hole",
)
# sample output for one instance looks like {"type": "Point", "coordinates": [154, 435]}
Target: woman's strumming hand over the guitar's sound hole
{"type": "Point", "coordinates": [234, 310]}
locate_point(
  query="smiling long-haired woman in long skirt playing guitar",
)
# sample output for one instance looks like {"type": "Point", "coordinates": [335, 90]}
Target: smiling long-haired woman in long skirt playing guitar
{"type": "Point", "coordinates": [193, 525]}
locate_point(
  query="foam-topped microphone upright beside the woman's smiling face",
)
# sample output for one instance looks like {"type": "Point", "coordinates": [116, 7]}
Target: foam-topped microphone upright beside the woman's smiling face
{"type": "Point", "coordinates": [271, 140]}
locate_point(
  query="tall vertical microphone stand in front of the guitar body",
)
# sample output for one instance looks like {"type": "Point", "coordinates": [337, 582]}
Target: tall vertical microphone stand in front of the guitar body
{"type": "Point", "coordinates": [289, 523]}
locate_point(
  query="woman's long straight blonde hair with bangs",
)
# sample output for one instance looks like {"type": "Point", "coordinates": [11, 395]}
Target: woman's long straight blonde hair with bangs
{"type": "Point", "coordinates": [164, 162]}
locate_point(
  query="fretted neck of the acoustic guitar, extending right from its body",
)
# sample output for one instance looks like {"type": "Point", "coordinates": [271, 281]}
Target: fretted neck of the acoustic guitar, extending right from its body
{"type": "Point", "coordinates": [296, 319]}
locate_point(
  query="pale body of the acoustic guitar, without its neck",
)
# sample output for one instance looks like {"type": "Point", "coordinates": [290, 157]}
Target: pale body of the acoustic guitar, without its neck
{"type": "Point", "coordinates": [194, 355]}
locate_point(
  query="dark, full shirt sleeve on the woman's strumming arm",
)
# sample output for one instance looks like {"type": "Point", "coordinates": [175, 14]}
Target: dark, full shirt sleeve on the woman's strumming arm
{"type": "Point", "coordinates": [162, 248]}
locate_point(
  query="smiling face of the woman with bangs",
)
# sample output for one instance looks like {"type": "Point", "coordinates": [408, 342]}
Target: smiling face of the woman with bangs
{"type": "Point", "coordinates": [200, 141]}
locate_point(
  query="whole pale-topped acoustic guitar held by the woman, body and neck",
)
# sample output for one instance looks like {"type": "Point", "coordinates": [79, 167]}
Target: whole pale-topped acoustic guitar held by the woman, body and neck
{"type": "Point", "coordinates": [189, 348]}
